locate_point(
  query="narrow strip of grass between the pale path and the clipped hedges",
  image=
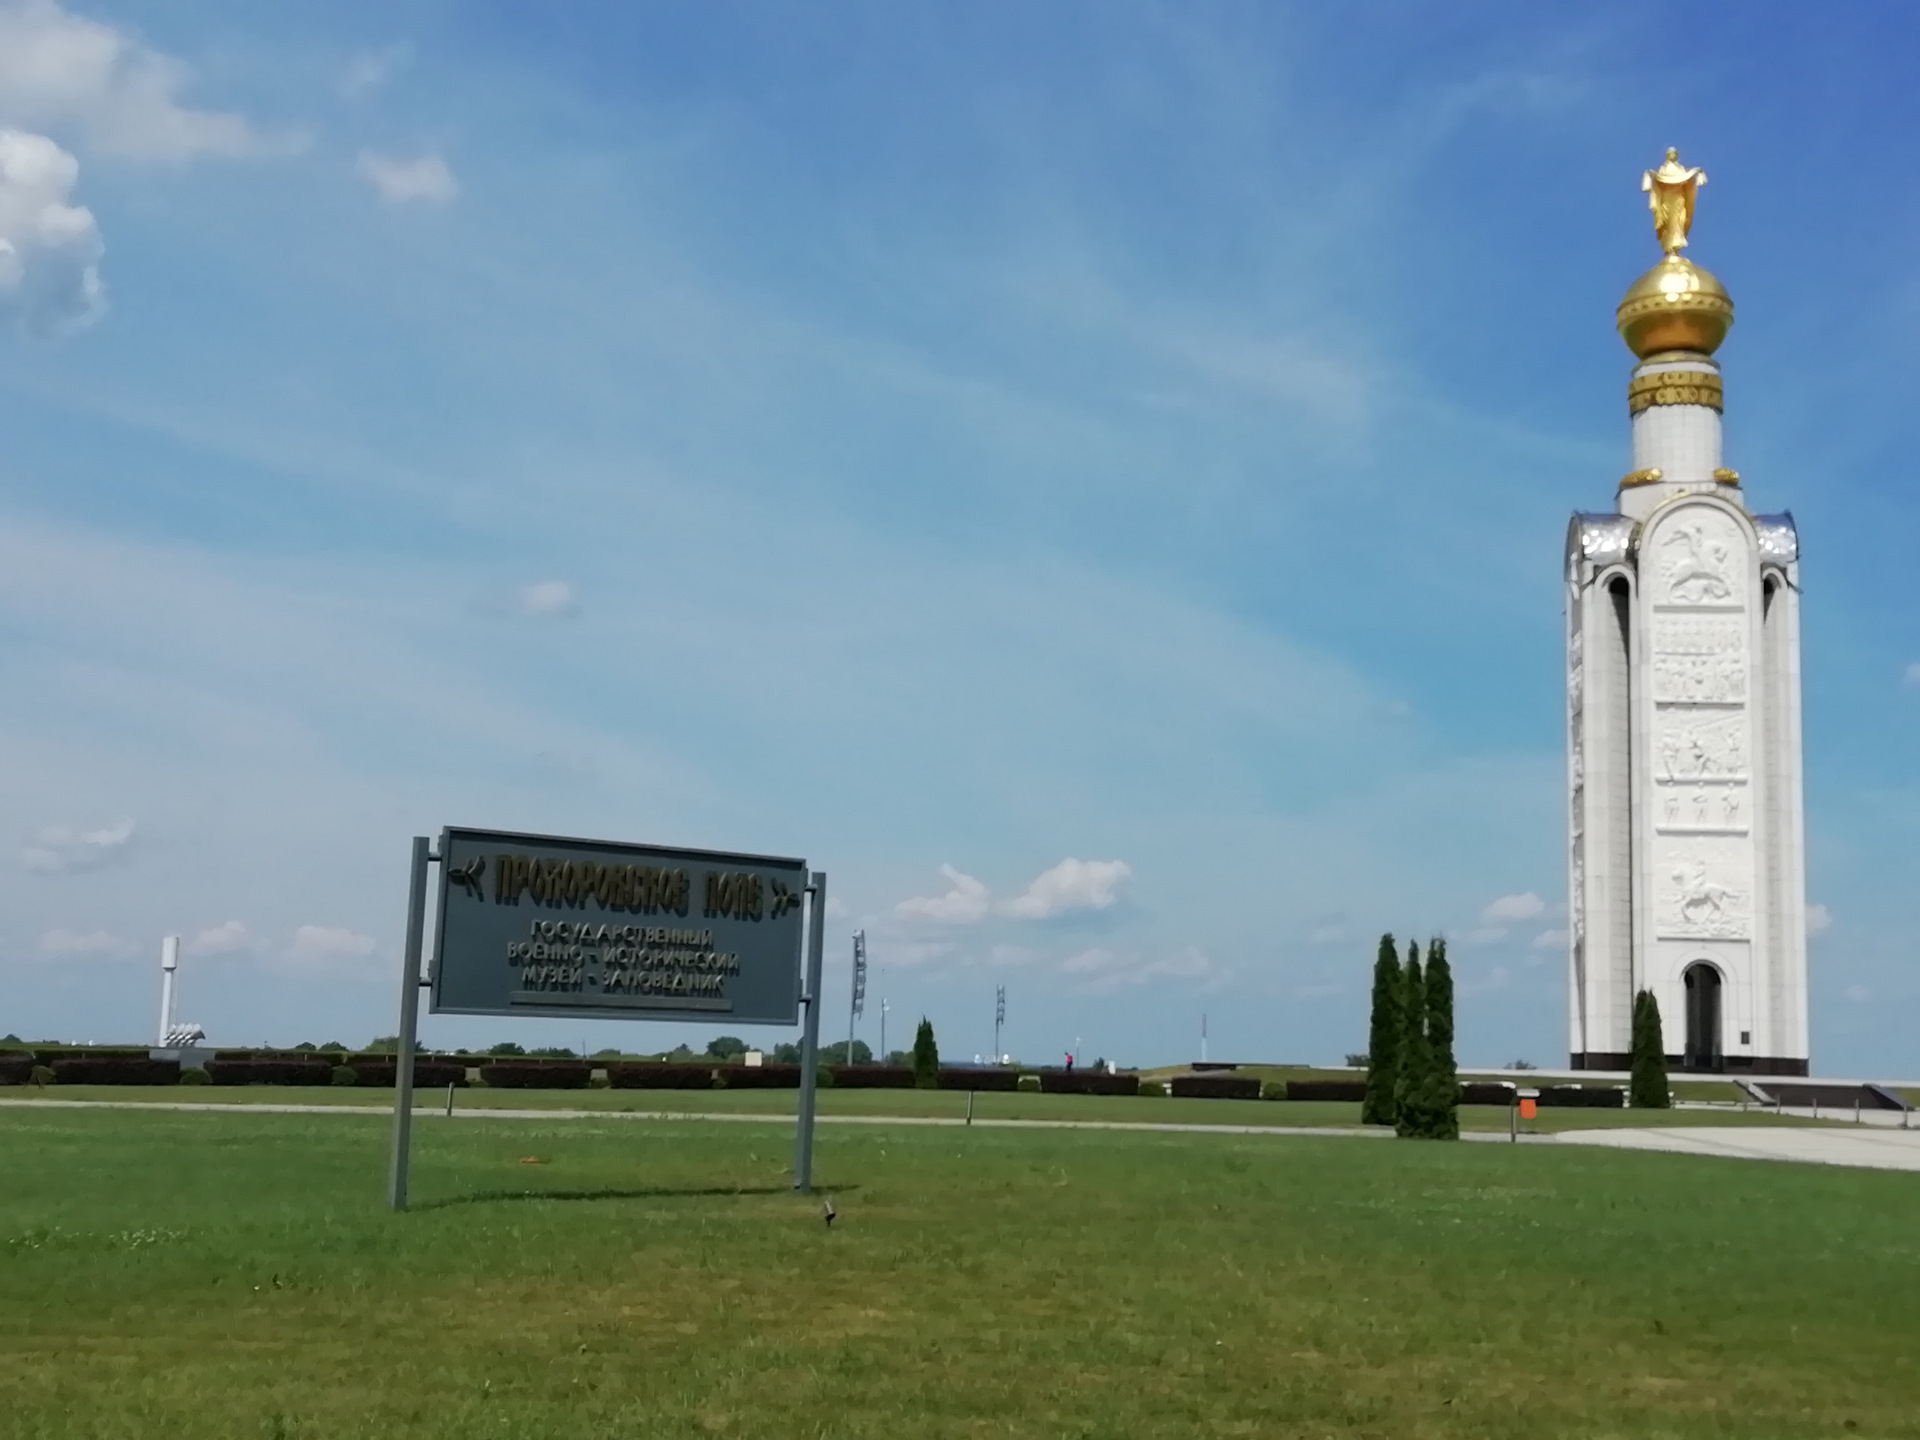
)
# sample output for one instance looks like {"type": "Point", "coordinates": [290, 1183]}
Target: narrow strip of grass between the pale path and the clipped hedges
{"type": "Point", "coordinates": [944, 1105]}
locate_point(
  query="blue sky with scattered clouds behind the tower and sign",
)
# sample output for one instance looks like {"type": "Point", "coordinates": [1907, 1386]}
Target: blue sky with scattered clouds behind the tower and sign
{"type": "Point", "coordinates": [946, 443]}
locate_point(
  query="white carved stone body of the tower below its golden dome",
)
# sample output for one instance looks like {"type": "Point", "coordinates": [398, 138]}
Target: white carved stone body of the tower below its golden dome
{"type": "Point", "coordinates": [1685, 761]}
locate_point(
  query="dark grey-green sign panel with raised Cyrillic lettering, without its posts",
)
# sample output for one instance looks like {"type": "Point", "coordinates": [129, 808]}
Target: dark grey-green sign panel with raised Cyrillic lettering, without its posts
{"type": "Point", "coordinates": [548, 926]}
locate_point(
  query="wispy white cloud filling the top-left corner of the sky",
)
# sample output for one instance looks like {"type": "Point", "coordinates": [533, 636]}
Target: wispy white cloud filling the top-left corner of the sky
{"type": "Point", "coordinates": [60, 70]}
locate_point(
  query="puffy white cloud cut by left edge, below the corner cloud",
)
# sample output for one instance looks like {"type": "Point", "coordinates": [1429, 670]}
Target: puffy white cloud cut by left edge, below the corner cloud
{"type": "Point", "coordinates": [49, 249]}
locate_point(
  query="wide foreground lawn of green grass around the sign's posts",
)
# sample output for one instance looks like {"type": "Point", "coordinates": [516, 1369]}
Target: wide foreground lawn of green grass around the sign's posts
{"type": "Point", "coordinates": [235, 1276]}
